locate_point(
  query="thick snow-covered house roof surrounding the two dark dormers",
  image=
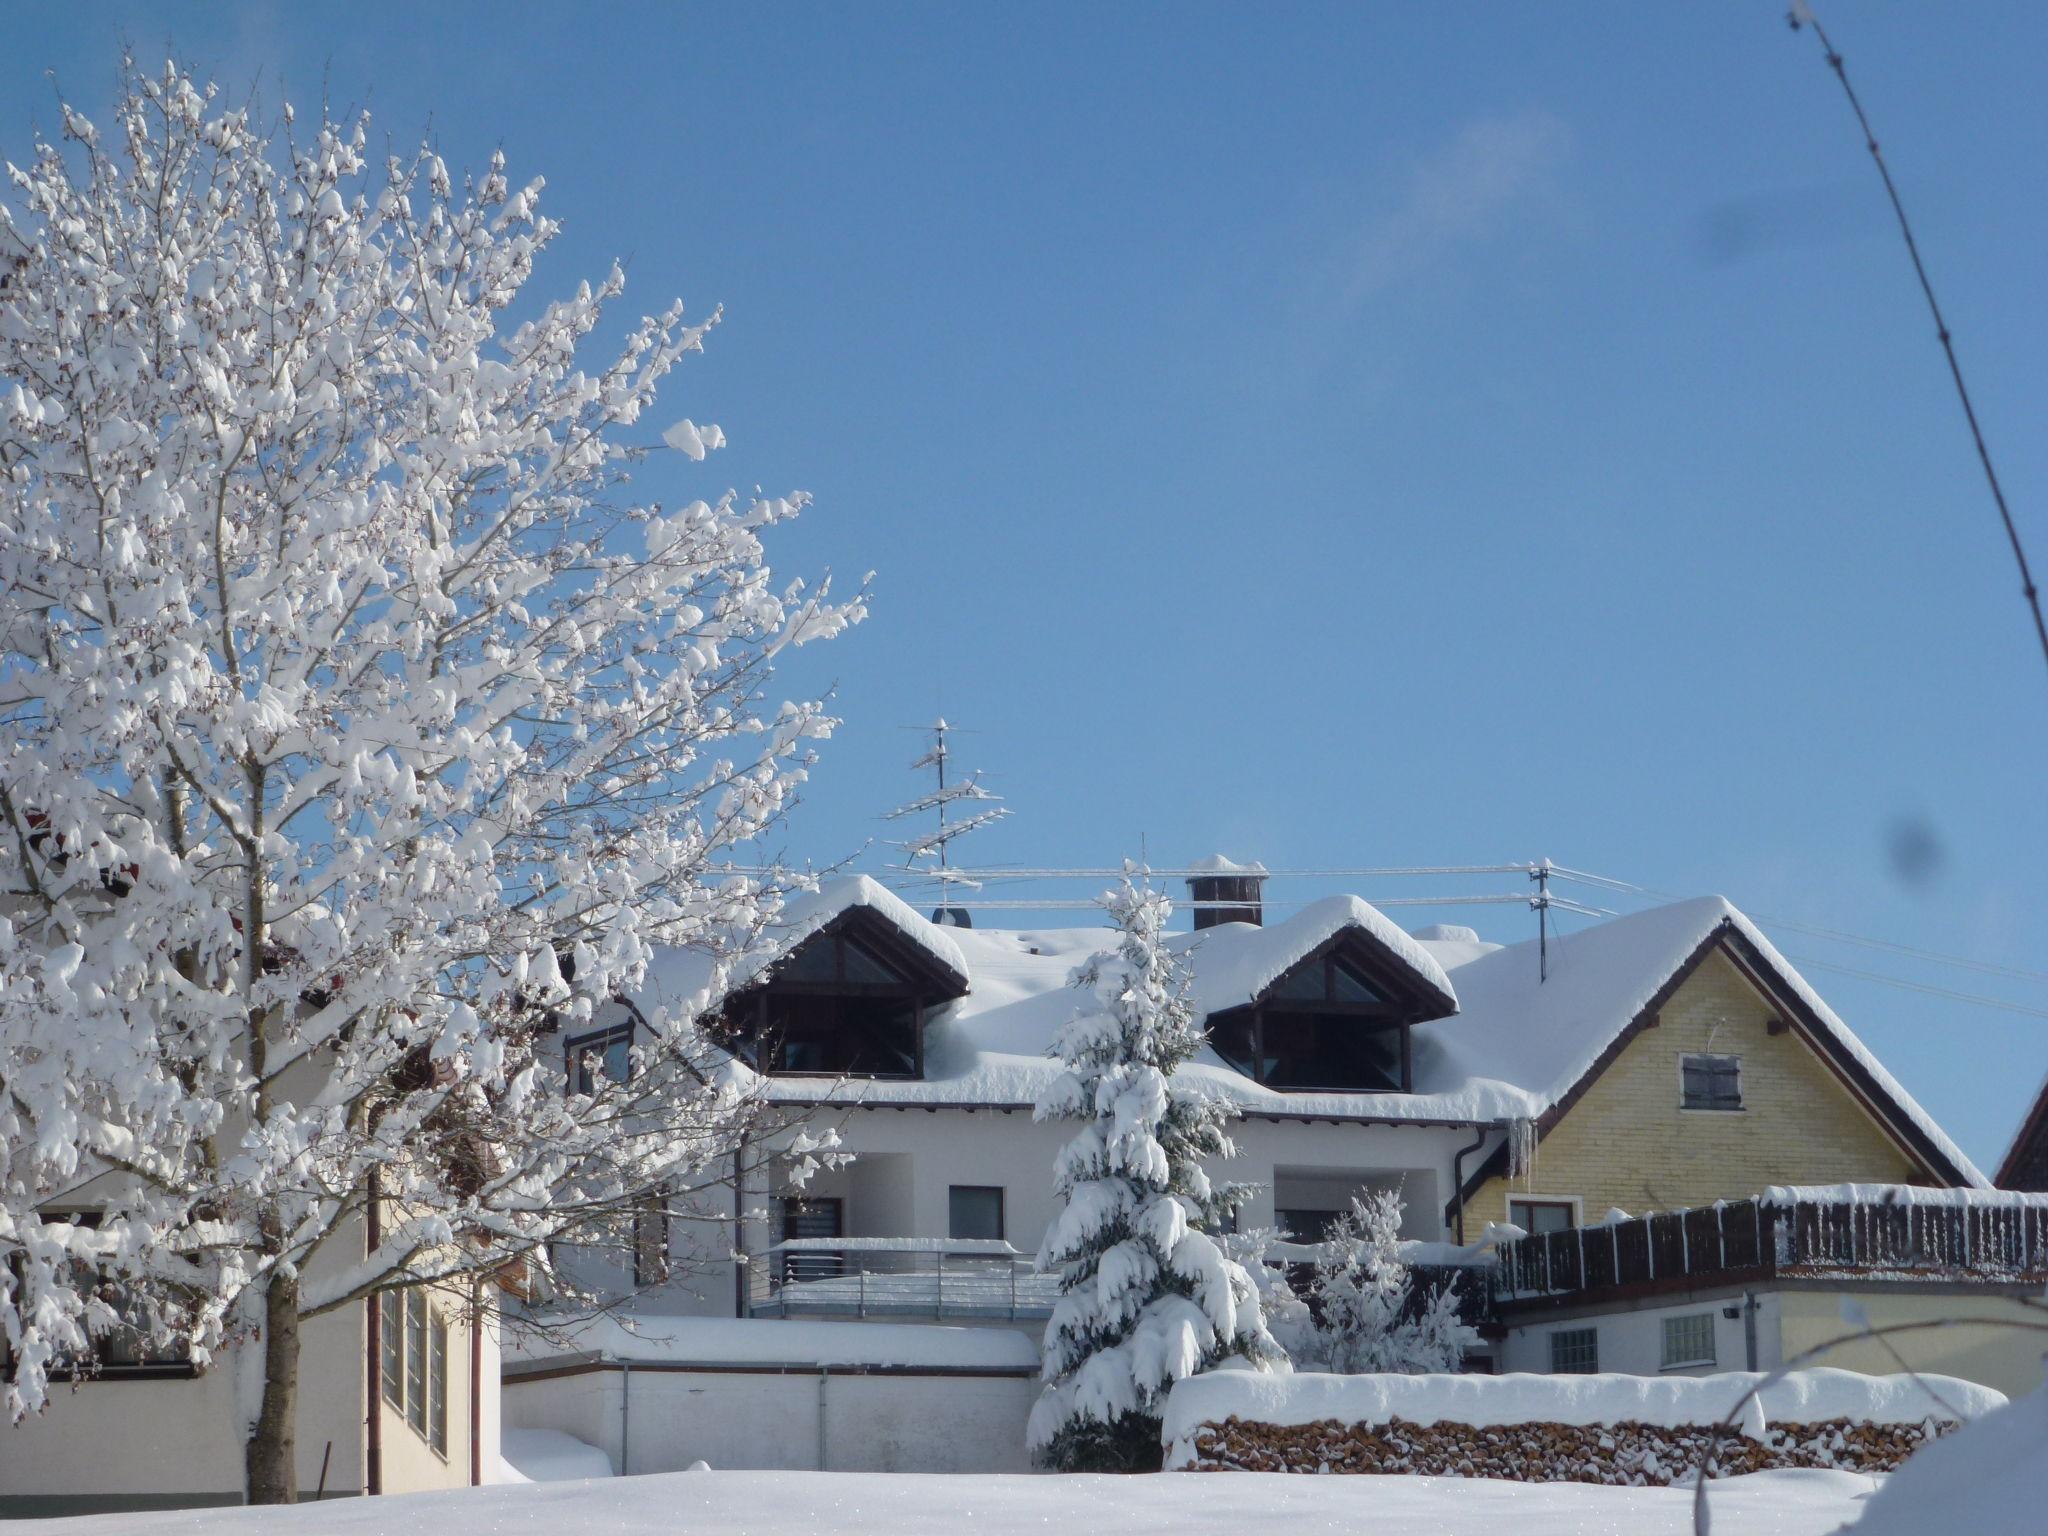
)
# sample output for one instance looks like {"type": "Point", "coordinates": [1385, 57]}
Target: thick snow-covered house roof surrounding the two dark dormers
{"type": "Point", "coordinates": [1514, 1050]}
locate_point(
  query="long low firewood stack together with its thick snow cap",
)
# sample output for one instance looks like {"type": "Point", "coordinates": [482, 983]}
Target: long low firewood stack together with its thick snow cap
{"type": "Point", "coordinates": [1541, 1428]}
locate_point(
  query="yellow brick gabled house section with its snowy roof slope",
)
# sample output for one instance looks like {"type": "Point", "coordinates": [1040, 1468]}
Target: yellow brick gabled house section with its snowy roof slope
{"type": "Point", "coordinates": [1689, 1064]}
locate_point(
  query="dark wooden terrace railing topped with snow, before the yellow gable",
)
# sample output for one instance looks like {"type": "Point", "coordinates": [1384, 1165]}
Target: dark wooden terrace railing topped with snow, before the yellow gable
{"type": "Point", "coordinates": [1791, 1232]}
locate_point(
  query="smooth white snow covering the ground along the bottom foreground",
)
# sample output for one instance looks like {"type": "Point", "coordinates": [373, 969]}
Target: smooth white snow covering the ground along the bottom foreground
{"type": "Point", "coordinates": [882, 1504]}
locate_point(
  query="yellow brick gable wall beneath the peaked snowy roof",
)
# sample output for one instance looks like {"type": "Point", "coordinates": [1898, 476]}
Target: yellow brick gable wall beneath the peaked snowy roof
{"type": "Point", "coordinates": [1629, 1144]}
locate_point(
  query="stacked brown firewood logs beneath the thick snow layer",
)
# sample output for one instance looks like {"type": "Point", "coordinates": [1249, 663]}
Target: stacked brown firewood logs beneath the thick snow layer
{"type": "Point", "coordinates": [1627, 1455]}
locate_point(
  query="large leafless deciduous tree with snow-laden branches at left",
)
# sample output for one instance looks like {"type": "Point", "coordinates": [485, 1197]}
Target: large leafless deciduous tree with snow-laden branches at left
{"type": "Point", "coordinates": [359, 736]}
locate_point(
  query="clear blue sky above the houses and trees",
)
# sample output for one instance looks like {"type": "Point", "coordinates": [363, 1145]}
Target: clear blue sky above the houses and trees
{"type": "Point", "coordinates": [1342, 437]}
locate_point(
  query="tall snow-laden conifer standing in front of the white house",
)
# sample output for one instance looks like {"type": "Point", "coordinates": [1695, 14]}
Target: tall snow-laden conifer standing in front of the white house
{"type": "Point", "coordinates": [1148, 1297]}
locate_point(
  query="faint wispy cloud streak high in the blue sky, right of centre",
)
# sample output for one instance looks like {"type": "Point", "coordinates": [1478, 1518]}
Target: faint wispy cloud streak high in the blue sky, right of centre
{"type": "Point", "coordinates": [1457, 194]}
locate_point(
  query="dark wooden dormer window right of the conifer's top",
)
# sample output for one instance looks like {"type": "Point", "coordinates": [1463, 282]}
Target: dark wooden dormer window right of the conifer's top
{"type": "Point", "coordinates": [1330, 1023]}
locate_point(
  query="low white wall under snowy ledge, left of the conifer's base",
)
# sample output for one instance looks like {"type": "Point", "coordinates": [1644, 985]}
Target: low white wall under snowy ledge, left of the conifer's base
{"type": "Point", "coordinates": [771, 1420]}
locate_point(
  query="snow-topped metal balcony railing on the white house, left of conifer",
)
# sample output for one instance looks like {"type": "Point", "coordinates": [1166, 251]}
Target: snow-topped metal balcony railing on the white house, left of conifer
{"type": "Point", "coordinates": [898, 1277]}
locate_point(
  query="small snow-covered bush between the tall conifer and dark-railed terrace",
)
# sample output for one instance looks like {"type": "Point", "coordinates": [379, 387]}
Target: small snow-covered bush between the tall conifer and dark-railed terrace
{"type": "Point", "coordinates": [1361, 1299]}
